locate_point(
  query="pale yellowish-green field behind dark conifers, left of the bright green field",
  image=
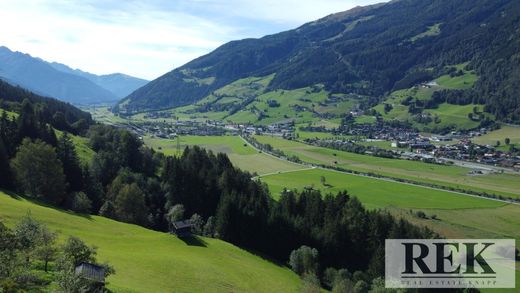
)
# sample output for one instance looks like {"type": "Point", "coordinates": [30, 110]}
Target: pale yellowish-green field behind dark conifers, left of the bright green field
{"type": "Point", "coordinates": [243, 157]}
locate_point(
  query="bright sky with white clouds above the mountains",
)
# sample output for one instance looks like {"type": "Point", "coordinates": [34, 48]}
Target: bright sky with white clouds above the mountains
{"type": "Point", "coordinates": [147, 38]}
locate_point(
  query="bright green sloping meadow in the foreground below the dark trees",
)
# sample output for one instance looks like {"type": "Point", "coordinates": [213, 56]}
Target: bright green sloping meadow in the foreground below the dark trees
{"type": "Point", "coordinates": [150, 261]}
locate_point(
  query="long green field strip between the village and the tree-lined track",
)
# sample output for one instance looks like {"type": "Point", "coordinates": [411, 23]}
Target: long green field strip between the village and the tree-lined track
{"type": "Point", "coordinates": [451, 176]}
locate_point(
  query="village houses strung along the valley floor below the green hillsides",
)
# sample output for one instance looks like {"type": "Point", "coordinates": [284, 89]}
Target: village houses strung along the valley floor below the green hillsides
{"type": "Point", "coordinates": [403, 142]}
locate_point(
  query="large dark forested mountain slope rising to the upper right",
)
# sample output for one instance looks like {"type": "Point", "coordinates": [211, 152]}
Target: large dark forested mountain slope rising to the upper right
{"type": "Point", "coordinates": [371, 51]}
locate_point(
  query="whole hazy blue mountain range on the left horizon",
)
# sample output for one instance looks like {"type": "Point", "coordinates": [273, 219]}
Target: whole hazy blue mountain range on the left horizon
{"type": "Point", "coordinates": [62, 82]}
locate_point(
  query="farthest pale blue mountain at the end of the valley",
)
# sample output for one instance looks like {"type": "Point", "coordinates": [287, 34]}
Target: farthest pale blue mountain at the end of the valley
{"type": "Point", "coordinates": [121, 85]}
